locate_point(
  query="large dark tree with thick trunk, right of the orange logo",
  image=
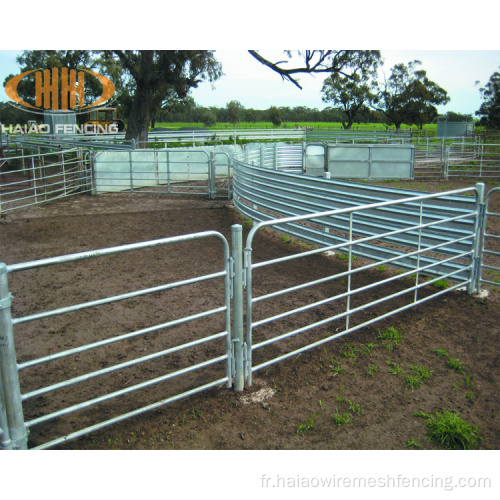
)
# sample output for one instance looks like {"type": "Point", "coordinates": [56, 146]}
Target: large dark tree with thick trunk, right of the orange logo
{"type": "Point", "coordinates": [156, 74]}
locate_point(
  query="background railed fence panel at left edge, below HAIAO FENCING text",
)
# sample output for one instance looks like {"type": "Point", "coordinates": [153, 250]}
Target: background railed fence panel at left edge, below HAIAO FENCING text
{"type": "Point", "coordinates": [27, 180]}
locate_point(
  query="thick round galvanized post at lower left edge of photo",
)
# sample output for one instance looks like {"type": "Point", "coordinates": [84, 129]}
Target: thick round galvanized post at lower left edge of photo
{"type": "Point", "coordinates": [16, 431]}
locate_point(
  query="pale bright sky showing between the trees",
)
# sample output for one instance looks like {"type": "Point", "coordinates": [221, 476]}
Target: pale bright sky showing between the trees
{"type": "Point", "coordinates": [256, 86]}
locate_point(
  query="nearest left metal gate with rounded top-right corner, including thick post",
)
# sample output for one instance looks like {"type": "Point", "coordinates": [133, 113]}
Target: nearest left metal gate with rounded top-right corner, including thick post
{"type": "Point", "coordinates": [13, 427]}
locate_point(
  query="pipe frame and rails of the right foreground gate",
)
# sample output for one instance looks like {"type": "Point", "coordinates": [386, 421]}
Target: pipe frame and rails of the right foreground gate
{"type": "Point", "coordinates": [421, 266]}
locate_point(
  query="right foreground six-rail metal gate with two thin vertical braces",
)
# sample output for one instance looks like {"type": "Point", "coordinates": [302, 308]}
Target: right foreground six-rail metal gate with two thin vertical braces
{"type": "Point", "coordinates": [333, 303]}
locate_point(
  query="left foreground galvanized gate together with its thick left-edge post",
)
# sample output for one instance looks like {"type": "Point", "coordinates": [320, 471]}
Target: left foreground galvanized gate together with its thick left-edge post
{"type": "Point", "coordinates": [14, 429]}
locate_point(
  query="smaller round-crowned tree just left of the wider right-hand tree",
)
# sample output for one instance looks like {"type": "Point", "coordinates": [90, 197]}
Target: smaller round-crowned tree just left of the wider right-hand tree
{"type": "Point", "coordinates": [352, 95]}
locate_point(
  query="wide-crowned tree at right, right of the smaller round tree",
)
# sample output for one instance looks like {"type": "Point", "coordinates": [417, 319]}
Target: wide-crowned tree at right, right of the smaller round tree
{"type": "Point", "coordinates": [409, 96]}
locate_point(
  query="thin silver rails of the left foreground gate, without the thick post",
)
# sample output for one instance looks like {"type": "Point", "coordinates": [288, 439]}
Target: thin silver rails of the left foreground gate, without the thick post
{"type": "Point", "coordinates": [224, 335]}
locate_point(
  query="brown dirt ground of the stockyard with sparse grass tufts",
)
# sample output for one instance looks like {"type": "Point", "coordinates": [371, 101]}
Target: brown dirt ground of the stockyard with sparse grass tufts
{"type": "Point", "coordinates": [351, 393]}
